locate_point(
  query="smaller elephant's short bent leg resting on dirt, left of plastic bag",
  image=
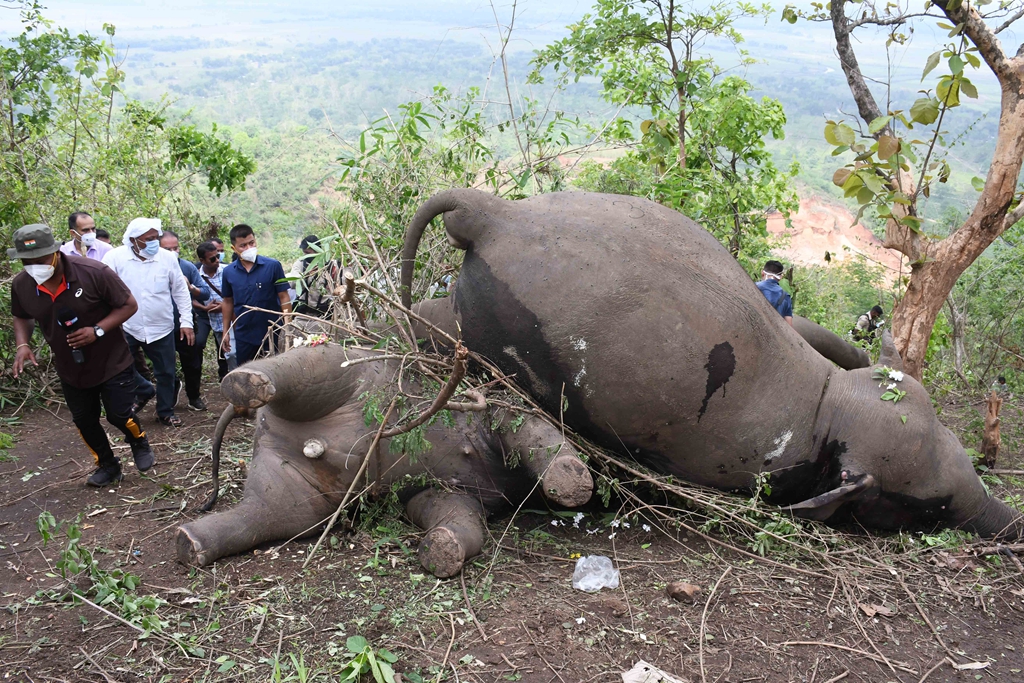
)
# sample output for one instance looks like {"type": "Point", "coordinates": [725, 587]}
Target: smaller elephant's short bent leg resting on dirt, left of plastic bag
{"type": "Point", "coordinates": [455, 530]}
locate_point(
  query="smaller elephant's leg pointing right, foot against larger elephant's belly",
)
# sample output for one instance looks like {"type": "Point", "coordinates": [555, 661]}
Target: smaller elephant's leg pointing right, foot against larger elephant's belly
{"type": "Point", "coordinates": [548, 457]}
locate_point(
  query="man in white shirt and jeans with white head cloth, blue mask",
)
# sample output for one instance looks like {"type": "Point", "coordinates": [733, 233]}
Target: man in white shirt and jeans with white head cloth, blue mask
{"type": "Point", "coordinates": [155, 279]}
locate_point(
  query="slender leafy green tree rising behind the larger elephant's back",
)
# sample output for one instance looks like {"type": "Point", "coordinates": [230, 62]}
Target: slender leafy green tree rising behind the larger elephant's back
{"type": "Point", "coordinates": [702, 151]}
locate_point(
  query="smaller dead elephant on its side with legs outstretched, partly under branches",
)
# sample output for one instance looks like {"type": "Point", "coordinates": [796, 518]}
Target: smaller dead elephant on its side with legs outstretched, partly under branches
{"type": "Point", "coordinates": [312, 439]}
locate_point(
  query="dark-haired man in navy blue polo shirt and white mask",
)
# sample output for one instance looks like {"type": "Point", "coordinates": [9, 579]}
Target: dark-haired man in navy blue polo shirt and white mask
{"type": "Point", "coordinates": [251, 282]}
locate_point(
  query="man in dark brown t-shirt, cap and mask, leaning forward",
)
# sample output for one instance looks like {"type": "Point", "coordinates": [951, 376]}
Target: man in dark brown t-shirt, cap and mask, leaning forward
{"type": "Point", "coordinates": [80, 305]}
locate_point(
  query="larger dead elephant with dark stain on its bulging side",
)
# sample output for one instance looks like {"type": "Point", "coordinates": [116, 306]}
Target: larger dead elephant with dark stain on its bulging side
{"type": "Point", "coordinates": [664, 348]}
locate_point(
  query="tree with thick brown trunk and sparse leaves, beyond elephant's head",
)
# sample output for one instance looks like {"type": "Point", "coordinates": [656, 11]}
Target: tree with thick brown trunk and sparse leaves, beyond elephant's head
{"type": "Point", "coordinates": [900, 156]}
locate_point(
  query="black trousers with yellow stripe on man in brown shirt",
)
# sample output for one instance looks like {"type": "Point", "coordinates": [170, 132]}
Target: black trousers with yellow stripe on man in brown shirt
{"type": "Point", "coordinates": [117, 396]}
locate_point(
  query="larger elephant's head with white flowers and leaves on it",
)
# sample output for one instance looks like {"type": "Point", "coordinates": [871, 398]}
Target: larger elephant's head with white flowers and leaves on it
{"type": "Point", "coordinates": [892, 464]}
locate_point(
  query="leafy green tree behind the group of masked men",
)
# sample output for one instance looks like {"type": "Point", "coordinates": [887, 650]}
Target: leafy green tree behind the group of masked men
{"type": "Point", "coordinates": [71, 140]}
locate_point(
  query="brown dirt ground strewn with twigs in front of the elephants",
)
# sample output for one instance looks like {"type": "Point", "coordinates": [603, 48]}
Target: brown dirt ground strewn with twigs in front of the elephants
{"type": "Point", "coordinates": [935, 611]}
